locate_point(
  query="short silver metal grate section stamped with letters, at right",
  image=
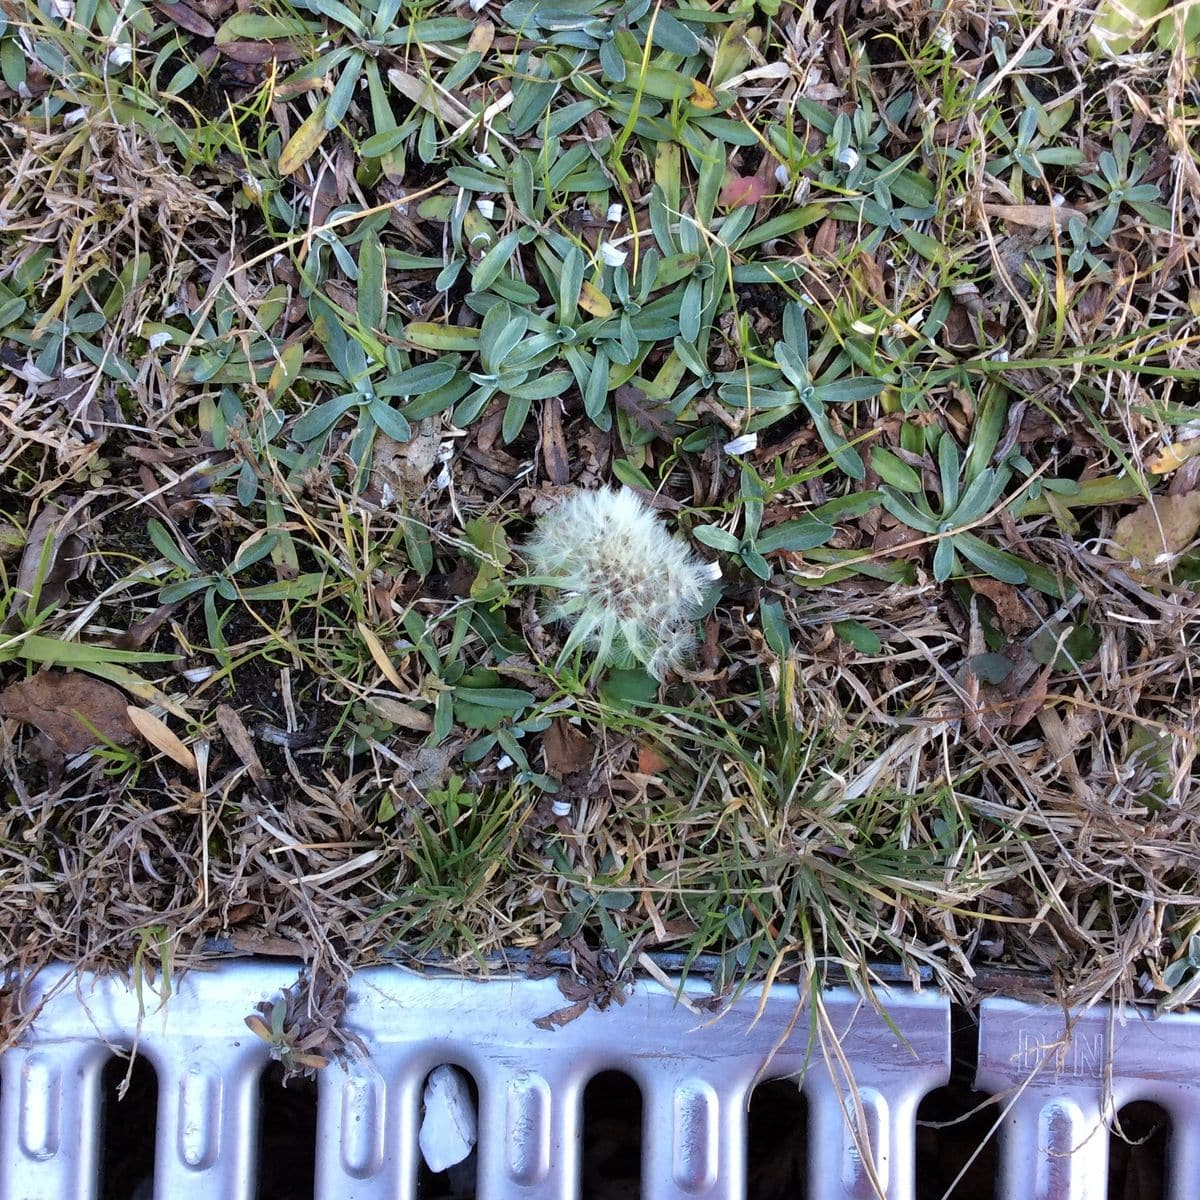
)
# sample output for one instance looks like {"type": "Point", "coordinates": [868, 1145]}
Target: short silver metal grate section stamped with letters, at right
{"type": "Point", "coordinates": [1061, 1084]}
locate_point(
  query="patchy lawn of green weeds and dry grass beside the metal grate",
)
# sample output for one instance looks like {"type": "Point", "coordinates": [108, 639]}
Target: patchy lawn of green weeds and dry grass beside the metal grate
{"type": "Point", "coordinates": [889, 311]}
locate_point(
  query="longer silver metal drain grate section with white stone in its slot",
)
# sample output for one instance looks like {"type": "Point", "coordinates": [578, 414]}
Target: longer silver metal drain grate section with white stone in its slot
{"type": "Point", "coordinates": [695, 1073]}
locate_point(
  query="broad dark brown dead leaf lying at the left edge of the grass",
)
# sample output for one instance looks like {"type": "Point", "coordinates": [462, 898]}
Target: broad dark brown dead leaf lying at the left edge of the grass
{"type": "Point", "coordinates": [74, 710]}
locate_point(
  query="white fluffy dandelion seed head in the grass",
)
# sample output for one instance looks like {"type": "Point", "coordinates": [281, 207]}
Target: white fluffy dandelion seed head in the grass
{"type": "Point", "coordinates": [629, 587]}
